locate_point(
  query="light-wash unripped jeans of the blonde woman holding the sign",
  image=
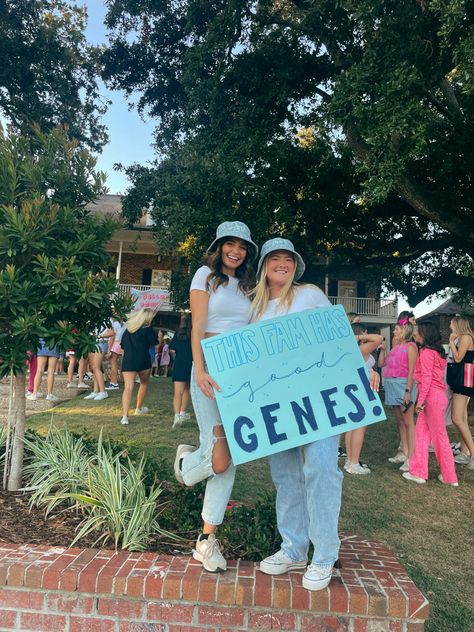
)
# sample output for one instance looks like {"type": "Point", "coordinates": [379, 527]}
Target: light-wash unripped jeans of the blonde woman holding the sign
{"type": "Point", "coordinates": [308, 483]}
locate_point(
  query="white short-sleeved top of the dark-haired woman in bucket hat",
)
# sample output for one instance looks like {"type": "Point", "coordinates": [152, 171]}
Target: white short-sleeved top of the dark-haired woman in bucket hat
{"type": "Point", "coordinates": [228, 307]}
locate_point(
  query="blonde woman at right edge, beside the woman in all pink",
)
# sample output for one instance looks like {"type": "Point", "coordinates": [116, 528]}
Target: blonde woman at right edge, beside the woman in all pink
{"type": "Point", "coordinates": [461, 345]}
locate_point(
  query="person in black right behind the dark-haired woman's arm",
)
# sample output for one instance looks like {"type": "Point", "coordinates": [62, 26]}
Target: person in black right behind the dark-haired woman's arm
{"type": "Point", "coordinates": [180, 347]}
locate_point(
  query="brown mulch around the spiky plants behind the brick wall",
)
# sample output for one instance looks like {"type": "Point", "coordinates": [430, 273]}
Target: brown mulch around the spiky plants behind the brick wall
{"type": "Point", "coordinates": [21, 525]}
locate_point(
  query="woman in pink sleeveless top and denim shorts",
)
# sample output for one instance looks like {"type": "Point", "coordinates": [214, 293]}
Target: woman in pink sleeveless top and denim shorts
{"type": "Point", "coordinates": [400, 390]}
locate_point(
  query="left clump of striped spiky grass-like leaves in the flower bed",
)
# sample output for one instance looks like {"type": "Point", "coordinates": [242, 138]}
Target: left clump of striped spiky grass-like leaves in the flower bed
{"type": "Point", "coordinates": [58, 465]}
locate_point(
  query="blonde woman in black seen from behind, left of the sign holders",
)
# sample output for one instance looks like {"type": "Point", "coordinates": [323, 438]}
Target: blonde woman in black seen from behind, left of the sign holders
{"type": "Point", "coordinates": [136, 341]}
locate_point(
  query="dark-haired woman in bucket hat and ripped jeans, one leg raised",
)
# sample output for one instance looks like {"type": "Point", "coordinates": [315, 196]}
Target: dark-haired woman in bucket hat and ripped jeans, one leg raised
{"type": "Point", "coordinates": [219, 303]}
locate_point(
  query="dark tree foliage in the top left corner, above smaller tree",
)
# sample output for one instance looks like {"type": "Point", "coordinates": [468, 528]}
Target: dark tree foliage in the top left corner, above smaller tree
{"type": "Point", "coordinates": [49, 72]}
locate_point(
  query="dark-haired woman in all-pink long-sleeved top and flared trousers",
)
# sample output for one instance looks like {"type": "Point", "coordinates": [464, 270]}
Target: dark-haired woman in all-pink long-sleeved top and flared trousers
{"type": "Point", "coordinates": [431, 406]}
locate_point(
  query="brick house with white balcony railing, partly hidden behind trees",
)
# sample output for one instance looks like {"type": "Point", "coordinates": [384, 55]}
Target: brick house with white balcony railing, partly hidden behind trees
{"type": "Point", "coordinates": [138, 266]}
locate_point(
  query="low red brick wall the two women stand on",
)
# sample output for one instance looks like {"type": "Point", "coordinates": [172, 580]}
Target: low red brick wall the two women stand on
{"type": "Point", "coordinates": [71, 590]}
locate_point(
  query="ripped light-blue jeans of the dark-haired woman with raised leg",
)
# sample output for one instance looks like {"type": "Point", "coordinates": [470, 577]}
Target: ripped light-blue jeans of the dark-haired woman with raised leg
{"type": "Point", "coordinates": [197, 466]}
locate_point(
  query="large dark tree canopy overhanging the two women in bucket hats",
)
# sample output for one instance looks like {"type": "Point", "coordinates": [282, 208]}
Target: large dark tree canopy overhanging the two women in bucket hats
{"type": "Point", "coordinates": [345, 125]}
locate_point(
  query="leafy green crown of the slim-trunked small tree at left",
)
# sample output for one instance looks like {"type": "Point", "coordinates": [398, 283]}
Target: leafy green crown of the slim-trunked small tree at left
{"type": "Point", "coordinates": [52, 250]}
